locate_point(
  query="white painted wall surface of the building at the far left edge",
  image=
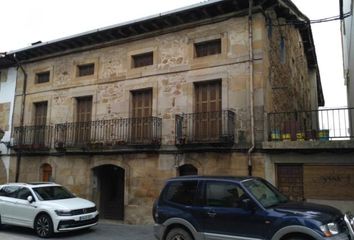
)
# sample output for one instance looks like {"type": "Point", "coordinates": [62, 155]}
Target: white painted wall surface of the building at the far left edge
{"type": "Point", "coordinates": [7, 94]}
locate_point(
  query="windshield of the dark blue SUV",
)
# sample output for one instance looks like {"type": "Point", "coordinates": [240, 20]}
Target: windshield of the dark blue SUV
{"type": "Point", "coordinates": [265, 193]}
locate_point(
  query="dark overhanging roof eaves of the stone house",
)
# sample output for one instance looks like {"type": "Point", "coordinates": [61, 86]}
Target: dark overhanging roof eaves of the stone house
{"type": "Point", "coordinates": [197, 14]}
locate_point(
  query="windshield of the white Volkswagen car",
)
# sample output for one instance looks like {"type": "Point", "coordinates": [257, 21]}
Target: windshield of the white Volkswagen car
{"type": "Point", "coordinates": [52, 193]}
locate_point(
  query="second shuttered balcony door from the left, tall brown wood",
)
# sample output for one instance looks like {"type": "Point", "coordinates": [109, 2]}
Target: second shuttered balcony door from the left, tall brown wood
{"type": "Point", "coordinates": [83, 120]}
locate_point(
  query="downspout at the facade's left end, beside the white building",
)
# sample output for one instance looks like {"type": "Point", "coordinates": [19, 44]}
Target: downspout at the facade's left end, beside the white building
{"type": "Point", "coordinates": [19, 153]}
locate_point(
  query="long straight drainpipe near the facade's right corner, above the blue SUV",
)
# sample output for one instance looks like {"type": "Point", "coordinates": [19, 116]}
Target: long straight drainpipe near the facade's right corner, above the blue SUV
{"type": "Point", "coordinates": [250, 40]}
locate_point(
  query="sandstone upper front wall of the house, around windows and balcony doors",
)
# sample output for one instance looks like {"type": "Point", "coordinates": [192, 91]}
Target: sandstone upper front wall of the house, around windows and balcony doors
{"type": "Point", "coordinates": [171, 77]}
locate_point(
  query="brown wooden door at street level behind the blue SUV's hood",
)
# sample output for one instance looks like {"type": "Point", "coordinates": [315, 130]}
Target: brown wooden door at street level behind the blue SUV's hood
{"type": "Point", "coordinates": [290, 181]}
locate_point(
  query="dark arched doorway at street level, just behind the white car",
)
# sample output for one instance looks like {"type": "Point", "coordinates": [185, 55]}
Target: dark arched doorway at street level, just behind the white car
{"type": "Point", "coordinates": [110, 181]}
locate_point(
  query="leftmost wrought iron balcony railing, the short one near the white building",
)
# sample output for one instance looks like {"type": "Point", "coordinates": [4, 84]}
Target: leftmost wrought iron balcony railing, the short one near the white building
{"type": "Point", "coordinates": [33, 138]}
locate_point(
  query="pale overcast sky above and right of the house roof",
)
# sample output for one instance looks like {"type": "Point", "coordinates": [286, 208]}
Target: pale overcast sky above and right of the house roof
{"type": "Point", "coordinates": [23, 22]}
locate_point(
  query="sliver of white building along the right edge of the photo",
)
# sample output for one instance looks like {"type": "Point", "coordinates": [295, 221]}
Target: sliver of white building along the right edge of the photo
{"type": "Point", "coordinates": [347, 28]}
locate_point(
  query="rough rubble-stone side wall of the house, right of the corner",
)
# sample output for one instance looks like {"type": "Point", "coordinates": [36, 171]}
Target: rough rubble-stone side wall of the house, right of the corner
{"type": "Point", "coordinates": [288, 82]}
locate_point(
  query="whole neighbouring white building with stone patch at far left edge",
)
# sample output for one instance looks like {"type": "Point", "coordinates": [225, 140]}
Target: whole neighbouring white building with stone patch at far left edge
{"type": "Point", "coordinates": [7, 96]}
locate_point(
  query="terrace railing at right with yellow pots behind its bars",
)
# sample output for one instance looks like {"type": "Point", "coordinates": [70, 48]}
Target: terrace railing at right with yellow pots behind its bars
{"type": "Point", "coordinates": [323, 125]}
